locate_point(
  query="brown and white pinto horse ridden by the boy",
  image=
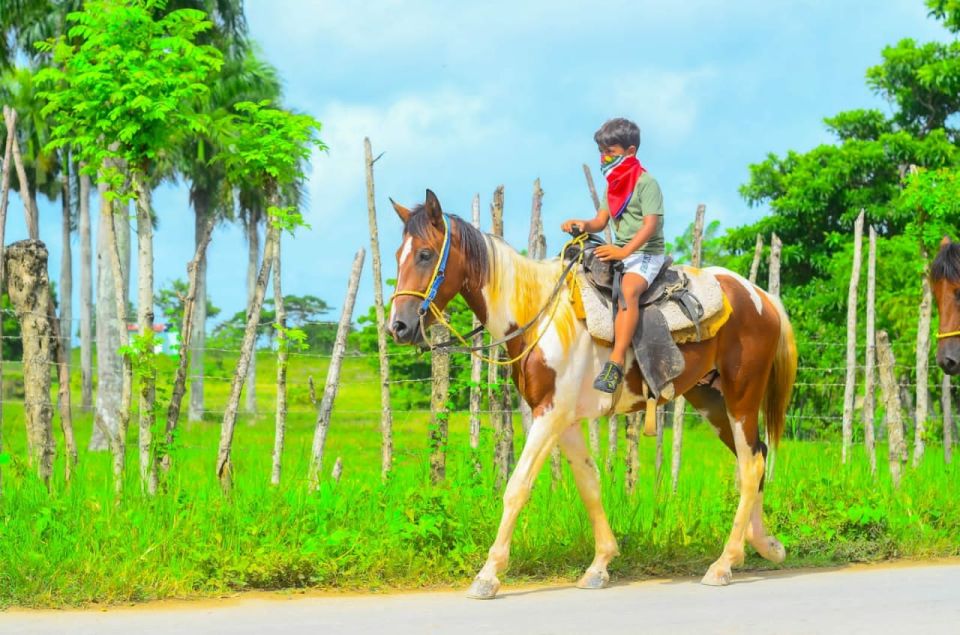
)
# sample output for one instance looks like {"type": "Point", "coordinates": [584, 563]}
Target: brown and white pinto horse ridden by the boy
{"type": "Point", "coordinates": [748, 366]}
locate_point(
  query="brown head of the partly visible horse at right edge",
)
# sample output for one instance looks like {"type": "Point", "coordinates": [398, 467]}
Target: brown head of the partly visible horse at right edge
{"type": "Point", "coordinates": [945, 282]}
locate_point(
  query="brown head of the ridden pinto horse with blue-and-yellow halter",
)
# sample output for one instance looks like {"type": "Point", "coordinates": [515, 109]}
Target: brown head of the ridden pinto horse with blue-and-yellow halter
{"type": "Point", "coordinates": [440, 256]}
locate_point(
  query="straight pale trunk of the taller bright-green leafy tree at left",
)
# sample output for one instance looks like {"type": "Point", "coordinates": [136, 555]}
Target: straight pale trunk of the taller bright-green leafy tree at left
{"type": "Point", "coordinates": [145, 318]}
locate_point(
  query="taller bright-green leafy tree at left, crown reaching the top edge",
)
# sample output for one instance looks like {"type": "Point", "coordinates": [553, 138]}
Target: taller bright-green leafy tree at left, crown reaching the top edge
{"type": "Point", "coordinates": [120, 90]}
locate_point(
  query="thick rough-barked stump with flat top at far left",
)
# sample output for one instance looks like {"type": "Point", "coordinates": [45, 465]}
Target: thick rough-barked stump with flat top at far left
{"type": "Point", "coordinates": [29, 289]}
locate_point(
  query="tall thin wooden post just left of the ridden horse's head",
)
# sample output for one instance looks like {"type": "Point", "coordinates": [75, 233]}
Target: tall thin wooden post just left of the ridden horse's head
{"type": "Point", "coordinates": [386, 414]}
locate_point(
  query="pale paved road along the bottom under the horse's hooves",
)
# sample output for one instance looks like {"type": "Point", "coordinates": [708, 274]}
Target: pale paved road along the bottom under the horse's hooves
{"type": "Point", "coordinates": [899, 599]}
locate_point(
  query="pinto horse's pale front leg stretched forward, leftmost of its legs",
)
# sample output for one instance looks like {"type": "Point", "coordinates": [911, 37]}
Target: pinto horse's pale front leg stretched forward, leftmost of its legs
{"type": "Point", "coordinates": [544, 433]}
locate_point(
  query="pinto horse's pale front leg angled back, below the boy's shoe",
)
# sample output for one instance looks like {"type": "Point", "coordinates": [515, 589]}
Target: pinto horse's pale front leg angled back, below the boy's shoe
{"type": "Point", "coordinates": [588, 483]}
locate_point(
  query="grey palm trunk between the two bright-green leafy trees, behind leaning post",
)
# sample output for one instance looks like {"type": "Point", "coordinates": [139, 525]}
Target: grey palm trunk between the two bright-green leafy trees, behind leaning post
{"type": "Point", "coordinates": [203, 223]}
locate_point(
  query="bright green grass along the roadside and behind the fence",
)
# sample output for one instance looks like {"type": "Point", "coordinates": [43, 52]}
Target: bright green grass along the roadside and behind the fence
{"type": "Point", "coordinates": [75, 545]}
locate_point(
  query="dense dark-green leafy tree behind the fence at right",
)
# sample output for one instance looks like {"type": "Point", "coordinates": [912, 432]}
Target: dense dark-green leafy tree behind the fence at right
{"type": "Point", "coordinates": [814, 198]}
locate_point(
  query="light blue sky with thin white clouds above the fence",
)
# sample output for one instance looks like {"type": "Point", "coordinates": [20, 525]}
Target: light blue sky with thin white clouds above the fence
{"type": "Point", "coordinates": [462, 97]}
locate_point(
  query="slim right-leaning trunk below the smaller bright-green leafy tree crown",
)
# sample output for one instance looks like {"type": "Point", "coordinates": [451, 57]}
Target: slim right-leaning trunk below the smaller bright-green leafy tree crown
{"type": "Point", "coordinates": [247, 351]}
